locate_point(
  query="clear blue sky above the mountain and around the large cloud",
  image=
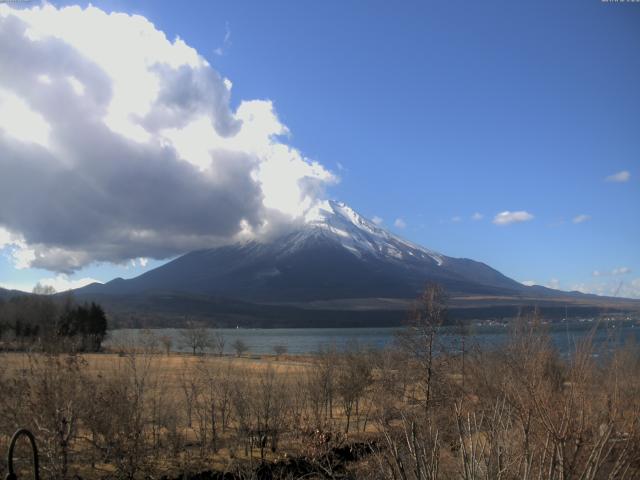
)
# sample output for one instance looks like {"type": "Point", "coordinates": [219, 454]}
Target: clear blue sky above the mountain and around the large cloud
{"type": "Point", "coordinates": [431, 112]}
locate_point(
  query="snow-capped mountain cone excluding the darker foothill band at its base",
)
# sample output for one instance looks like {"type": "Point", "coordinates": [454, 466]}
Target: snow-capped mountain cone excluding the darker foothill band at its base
{"type": "Point", "coordinates": [335, 254]}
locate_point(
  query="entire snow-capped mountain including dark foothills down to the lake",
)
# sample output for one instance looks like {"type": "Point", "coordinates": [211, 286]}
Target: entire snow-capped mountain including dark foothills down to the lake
{"type": "Point", "coordinates": [337, 264]}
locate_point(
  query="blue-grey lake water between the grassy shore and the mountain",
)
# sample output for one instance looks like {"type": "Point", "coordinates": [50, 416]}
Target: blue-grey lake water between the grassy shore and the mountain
{"type": "Point", "coordinates": [309, 340]}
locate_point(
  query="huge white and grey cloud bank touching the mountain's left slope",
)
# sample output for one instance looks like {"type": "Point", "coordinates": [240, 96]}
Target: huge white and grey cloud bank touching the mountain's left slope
{"type": "Point", "coordinates": [118, 143]}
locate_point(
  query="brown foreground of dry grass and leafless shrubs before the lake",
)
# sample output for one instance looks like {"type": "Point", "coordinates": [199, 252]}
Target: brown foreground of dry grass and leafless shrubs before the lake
{"type": "Point", "coordinates": [412, 411]}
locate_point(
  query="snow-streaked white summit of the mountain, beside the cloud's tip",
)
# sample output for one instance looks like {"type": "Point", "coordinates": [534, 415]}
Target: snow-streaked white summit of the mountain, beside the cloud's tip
{"type": "Point", "coordinates": [359, 235]}
